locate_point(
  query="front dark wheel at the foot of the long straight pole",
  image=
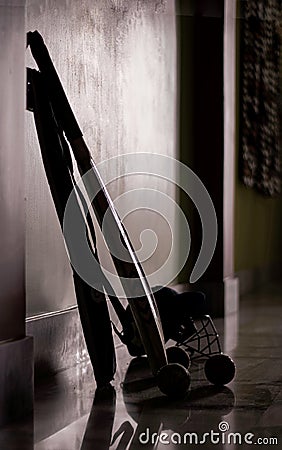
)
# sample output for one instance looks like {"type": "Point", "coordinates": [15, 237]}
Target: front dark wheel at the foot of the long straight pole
{"type": "Point", "coordinates": [173, 380]}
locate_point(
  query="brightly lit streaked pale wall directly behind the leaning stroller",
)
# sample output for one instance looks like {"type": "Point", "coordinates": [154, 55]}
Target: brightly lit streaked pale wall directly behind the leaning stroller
{"type": "Point", "coordinates": [117, 62]}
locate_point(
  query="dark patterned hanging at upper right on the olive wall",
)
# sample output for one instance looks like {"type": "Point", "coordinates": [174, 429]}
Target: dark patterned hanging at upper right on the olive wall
{"type": "Point", "coordinates": [260, 117]}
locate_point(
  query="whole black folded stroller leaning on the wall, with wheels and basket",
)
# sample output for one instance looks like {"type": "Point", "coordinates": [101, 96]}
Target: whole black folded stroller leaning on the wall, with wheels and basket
{"type": "Point", "coordinates": [142, 328]}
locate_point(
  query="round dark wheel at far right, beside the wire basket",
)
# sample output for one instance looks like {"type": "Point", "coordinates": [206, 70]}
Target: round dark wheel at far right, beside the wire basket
{"type": "Point", "coordinates": [220, 369]}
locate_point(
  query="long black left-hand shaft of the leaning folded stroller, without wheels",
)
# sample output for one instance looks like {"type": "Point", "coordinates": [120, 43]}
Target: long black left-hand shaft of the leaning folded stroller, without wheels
{"type": "Point", "coordinates": [92, 305]}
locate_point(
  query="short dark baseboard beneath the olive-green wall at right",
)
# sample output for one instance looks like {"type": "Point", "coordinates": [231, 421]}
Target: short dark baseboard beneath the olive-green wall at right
{"type": "Point", "coordinates": [250, 280]}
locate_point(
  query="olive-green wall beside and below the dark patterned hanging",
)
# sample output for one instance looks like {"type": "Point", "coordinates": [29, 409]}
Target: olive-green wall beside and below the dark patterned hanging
{"type": "Point", "coordinates": [258, 219]}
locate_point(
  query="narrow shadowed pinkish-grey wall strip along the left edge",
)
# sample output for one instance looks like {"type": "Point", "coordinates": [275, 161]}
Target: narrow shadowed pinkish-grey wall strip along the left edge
{"type": "Point", "coordinates": [12, 99]}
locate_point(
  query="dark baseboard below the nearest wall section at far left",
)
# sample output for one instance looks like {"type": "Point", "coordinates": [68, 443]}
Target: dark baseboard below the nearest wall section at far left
{"type": "Point", "coordinates": [16, 379]}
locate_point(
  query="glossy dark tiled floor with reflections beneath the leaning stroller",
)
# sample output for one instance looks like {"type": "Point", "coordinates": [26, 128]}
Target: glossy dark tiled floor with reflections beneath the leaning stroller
{"type": "Point", "coordinates": [70, 415]}
